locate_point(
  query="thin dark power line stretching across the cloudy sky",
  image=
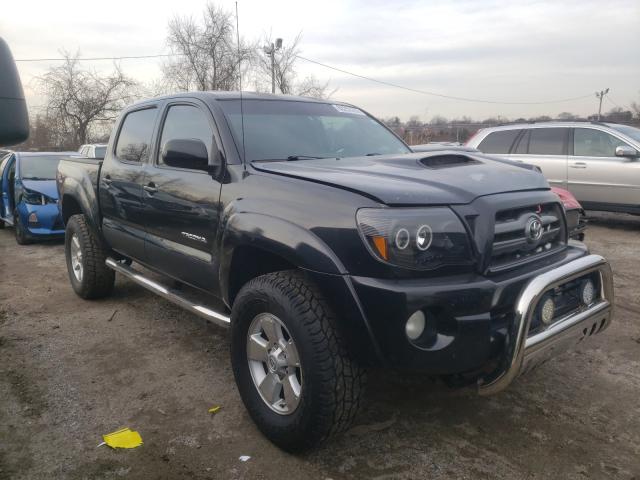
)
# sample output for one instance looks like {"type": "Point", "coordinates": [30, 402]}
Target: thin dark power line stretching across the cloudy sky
{"type": "Point", "coordinates": [375, 80]}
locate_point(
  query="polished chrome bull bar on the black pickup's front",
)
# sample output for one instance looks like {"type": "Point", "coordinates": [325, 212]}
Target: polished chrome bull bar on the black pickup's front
{"type": "Point", "coordinates": [522, 352]}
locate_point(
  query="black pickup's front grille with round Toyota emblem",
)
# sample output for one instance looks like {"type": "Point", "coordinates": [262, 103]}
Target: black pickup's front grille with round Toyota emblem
{"type": "Point", "coordinates": [525, 233]}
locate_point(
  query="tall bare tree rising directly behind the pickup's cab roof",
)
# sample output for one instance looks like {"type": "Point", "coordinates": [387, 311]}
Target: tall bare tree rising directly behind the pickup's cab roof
{"type": "Point", "coordinates": [207, 54]}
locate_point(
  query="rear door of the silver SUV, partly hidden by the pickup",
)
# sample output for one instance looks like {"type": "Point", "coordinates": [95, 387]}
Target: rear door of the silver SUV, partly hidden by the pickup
{"type": "Point", "coordinates": [545, 147]}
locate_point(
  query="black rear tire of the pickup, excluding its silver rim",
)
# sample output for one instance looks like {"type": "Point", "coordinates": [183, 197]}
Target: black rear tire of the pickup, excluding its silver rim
{"type": "Point", "coordinates": [97, 279]}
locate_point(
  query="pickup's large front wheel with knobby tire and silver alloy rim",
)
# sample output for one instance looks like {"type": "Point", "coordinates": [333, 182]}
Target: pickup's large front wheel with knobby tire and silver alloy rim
{"type": "Point", "coordinates": [290, 362]}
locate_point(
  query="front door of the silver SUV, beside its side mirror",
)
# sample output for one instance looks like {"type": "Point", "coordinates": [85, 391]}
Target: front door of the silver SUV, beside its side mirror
{"type": "Point", "coordinates": [596, 175]}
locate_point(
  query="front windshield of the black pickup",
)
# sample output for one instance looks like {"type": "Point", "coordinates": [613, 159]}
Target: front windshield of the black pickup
{"type": "Point", "coordinates": [277, 130]}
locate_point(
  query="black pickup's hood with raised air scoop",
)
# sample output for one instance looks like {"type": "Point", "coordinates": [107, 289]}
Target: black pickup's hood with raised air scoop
{"type": "Point", "coordinates": [443, 177]}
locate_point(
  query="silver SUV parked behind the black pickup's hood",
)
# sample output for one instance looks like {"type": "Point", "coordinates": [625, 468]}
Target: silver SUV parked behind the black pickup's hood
{"type": "Point", "coordinates": [597, 162]}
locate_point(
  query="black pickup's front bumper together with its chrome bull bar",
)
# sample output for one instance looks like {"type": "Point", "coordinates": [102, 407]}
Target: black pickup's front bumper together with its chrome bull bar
{"type": "Point", "coordinates": [473, 317]}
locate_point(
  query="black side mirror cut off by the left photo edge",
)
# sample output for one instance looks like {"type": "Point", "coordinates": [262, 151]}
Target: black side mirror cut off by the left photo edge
{"type": "Point", "coordinates": [14, 120]}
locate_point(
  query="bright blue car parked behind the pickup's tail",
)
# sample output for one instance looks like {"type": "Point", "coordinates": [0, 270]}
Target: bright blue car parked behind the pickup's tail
{"type": "Point", "coordinates": [28, 195]}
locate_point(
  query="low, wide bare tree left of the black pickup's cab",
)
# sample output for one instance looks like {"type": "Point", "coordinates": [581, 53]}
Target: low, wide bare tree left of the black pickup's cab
{"type": "Point", "coordinates": [83, 101]}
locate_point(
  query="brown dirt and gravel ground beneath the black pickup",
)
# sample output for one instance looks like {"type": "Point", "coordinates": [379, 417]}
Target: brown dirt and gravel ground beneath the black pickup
{"type": "Point", "coordinates": [72, 370]}
